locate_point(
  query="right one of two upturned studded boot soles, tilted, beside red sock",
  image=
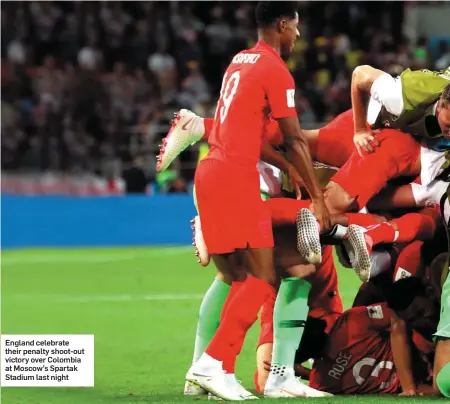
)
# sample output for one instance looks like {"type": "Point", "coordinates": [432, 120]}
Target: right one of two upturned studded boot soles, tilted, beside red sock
{"type": "Point", "coordinates": [359, 249]}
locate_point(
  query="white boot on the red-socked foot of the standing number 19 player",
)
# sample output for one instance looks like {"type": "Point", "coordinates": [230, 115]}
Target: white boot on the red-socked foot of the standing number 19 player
{"type": "Point", "coordinates": [212, 379]}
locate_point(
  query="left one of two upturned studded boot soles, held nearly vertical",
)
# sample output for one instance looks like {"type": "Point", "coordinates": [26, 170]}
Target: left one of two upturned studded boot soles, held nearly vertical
{"type": "Point", "coordinates": [308, 237]}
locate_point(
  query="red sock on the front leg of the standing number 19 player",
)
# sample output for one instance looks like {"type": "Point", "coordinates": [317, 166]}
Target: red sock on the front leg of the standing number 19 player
{"type": "Point", "coordinates": [241, 314]}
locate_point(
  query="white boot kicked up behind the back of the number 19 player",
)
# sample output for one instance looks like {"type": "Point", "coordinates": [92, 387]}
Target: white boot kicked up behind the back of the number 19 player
{"type": "Point", "coordinates": [187, 129]}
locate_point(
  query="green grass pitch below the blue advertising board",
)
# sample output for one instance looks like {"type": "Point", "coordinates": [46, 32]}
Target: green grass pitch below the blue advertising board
{"type": "Point", "coordinates": [141, 304]}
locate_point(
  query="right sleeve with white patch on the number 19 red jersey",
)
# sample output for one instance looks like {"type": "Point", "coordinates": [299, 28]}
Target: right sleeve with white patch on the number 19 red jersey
{"type": "Point", "coordinates": [280, 92]}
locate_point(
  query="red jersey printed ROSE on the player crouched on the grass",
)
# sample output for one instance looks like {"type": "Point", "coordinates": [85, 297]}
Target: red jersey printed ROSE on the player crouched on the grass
{"type": "Point", "coordinates": [358, 357]}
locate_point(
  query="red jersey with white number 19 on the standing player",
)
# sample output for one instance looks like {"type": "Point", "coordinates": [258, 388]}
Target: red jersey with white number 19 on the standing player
{"type": "Point", "coordinates": [256, 83]}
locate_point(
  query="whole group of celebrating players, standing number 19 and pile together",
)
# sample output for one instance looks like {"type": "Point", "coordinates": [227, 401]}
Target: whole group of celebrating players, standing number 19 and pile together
{"type": "Point", "coordinates": [268, 218]}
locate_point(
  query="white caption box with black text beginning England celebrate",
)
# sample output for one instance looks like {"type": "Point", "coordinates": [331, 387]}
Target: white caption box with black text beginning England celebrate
{"type": "Point", "coordinates": [47, 360]}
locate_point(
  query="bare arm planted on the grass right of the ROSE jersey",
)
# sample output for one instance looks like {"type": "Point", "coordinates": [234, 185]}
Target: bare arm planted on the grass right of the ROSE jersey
{"type": "Point", "coordinates": [402, 355]}
